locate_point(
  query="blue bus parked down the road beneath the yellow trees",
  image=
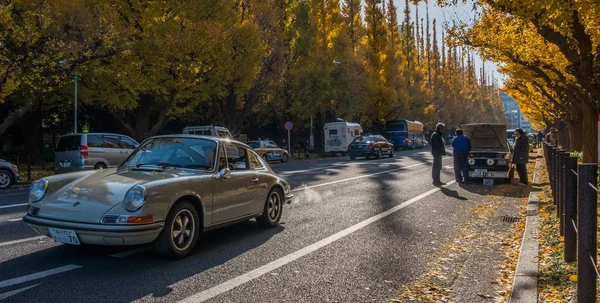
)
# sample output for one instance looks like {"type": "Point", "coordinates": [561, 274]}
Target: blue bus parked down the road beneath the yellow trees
{"type": "Point", "coordinates": [405, 134]}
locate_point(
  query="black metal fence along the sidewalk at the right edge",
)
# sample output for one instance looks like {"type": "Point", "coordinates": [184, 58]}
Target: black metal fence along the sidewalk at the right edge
{"type": "Point", "coordinates": [575, 195]}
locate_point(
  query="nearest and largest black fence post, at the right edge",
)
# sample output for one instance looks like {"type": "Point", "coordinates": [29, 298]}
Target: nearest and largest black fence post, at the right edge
{"type": "Point", "coordinates": [586, 233]}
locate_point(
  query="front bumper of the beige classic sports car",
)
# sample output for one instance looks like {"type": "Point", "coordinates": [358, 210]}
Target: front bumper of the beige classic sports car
{"type": "Point", "coordinates": [99, 234]}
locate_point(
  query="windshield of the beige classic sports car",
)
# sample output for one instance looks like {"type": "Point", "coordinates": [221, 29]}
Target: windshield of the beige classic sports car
{"type": "Point", "coordinates": [195, 153]}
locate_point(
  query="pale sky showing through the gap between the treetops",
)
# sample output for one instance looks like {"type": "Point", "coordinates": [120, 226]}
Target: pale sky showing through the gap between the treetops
{"type": "Point", "coordinates": [463, 12]}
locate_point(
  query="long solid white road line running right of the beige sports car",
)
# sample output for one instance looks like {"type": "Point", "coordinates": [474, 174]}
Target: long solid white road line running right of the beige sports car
{"type": "Point", "coordinates": [251, 275]}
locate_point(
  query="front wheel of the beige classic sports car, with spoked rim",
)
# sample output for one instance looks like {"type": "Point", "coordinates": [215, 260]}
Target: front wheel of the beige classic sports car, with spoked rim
{"type": "Point", "coordinates": [177, 246]}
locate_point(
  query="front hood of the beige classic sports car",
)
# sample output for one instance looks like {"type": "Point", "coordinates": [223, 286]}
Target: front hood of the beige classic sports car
{"type": "Point", "coordinates": [87, 196]}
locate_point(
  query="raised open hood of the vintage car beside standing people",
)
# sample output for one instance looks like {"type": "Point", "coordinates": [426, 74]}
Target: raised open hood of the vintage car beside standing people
{"type": "Point", "coordinates": [487, 137]}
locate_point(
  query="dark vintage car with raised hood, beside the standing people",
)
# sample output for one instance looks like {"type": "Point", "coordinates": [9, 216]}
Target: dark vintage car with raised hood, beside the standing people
{"type": "Point", "coordinates": [490, 152]}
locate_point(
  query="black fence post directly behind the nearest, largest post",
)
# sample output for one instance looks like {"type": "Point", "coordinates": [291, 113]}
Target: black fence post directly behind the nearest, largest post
{"type": "Point", "coordinates": [570, 210]}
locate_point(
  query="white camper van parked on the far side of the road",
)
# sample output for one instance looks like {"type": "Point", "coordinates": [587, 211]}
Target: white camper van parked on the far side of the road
{"type": "Point", "coordinates": [338, 135]}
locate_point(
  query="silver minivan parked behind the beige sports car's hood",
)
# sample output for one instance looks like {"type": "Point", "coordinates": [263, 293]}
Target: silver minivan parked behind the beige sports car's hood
{"type": "Point", "coordinates": [91, 151]}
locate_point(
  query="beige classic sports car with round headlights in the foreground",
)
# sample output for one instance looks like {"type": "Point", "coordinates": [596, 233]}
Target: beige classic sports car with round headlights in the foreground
{"type": "Point", "coordinates": [168, 191]}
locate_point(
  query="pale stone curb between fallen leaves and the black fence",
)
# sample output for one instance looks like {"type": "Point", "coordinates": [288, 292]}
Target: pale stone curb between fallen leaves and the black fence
{"type": "Point", "coordinates": [525, 283]}
